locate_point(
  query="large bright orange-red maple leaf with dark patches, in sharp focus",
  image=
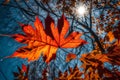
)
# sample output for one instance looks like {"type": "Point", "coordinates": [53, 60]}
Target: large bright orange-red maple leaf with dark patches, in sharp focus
{"type": "Point", "coordinates": [46, 40]}
